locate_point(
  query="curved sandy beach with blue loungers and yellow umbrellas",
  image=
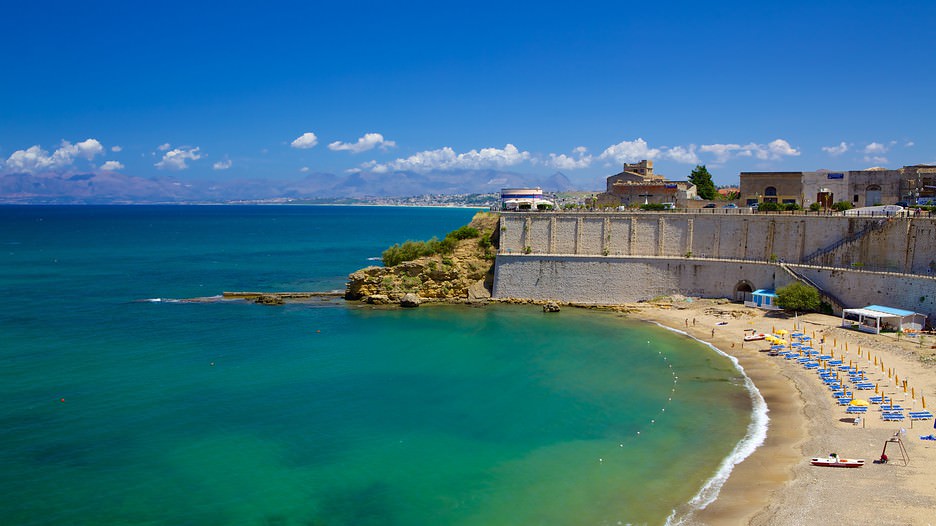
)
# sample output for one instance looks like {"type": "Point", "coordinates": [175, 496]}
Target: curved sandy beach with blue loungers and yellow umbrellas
{"type": "Point", "coordinates": [776, 485]}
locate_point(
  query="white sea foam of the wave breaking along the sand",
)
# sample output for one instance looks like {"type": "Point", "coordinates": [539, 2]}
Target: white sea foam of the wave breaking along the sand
{"type": "Point", "coordinates": [753, 439]}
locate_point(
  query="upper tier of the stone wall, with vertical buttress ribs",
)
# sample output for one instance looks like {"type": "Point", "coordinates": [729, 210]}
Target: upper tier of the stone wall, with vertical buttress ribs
{"type": "Point", "coordinates": [894, 244]}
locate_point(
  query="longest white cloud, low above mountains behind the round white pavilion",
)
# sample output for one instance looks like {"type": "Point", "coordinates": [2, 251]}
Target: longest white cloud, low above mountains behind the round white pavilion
{"type": "Point", "coordinates": [446, 159]}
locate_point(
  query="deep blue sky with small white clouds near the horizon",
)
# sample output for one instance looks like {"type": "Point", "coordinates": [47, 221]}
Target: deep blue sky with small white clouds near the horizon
{"type": "Point", "coordinates": [216, 91]}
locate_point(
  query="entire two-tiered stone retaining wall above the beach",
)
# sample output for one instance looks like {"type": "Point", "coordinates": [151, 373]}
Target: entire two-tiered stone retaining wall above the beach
{"type": "Point", "coordinates": [609, 258]}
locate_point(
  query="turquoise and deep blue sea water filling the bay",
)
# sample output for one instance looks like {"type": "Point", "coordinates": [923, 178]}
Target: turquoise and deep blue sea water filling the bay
{"type": "Point", "coordinates": [116, 408]}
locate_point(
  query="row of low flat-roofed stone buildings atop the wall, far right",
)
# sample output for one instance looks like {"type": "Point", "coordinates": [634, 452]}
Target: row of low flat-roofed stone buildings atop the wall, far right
{"type": "Point", "coordinates": [874, 186]}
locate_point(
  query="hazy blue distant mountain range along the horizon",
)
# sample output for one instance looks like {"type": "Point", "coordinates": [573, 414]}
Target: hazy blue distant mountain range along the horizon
{"type": "Point", "coordinates": [110, 187]}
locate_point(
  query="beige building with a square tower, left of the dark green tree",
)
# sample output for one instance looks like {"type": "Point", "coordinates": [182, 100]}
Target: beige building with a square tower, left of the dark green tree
{"type": "Point", "coordinates": [637, 184]}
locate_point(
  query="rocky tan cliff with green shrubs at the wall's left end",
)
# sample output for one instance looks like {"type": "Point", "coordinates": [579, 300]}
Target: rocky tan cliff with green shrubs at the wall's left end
{"type": "Point", "coordinates": [464, 274]}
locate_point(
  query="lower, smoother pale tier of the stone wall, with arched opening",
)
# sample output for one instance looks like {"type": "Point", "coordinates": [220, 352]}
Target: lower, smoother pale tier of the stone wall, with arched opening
{"type": "Point", "coordinates": [608, 280]}
